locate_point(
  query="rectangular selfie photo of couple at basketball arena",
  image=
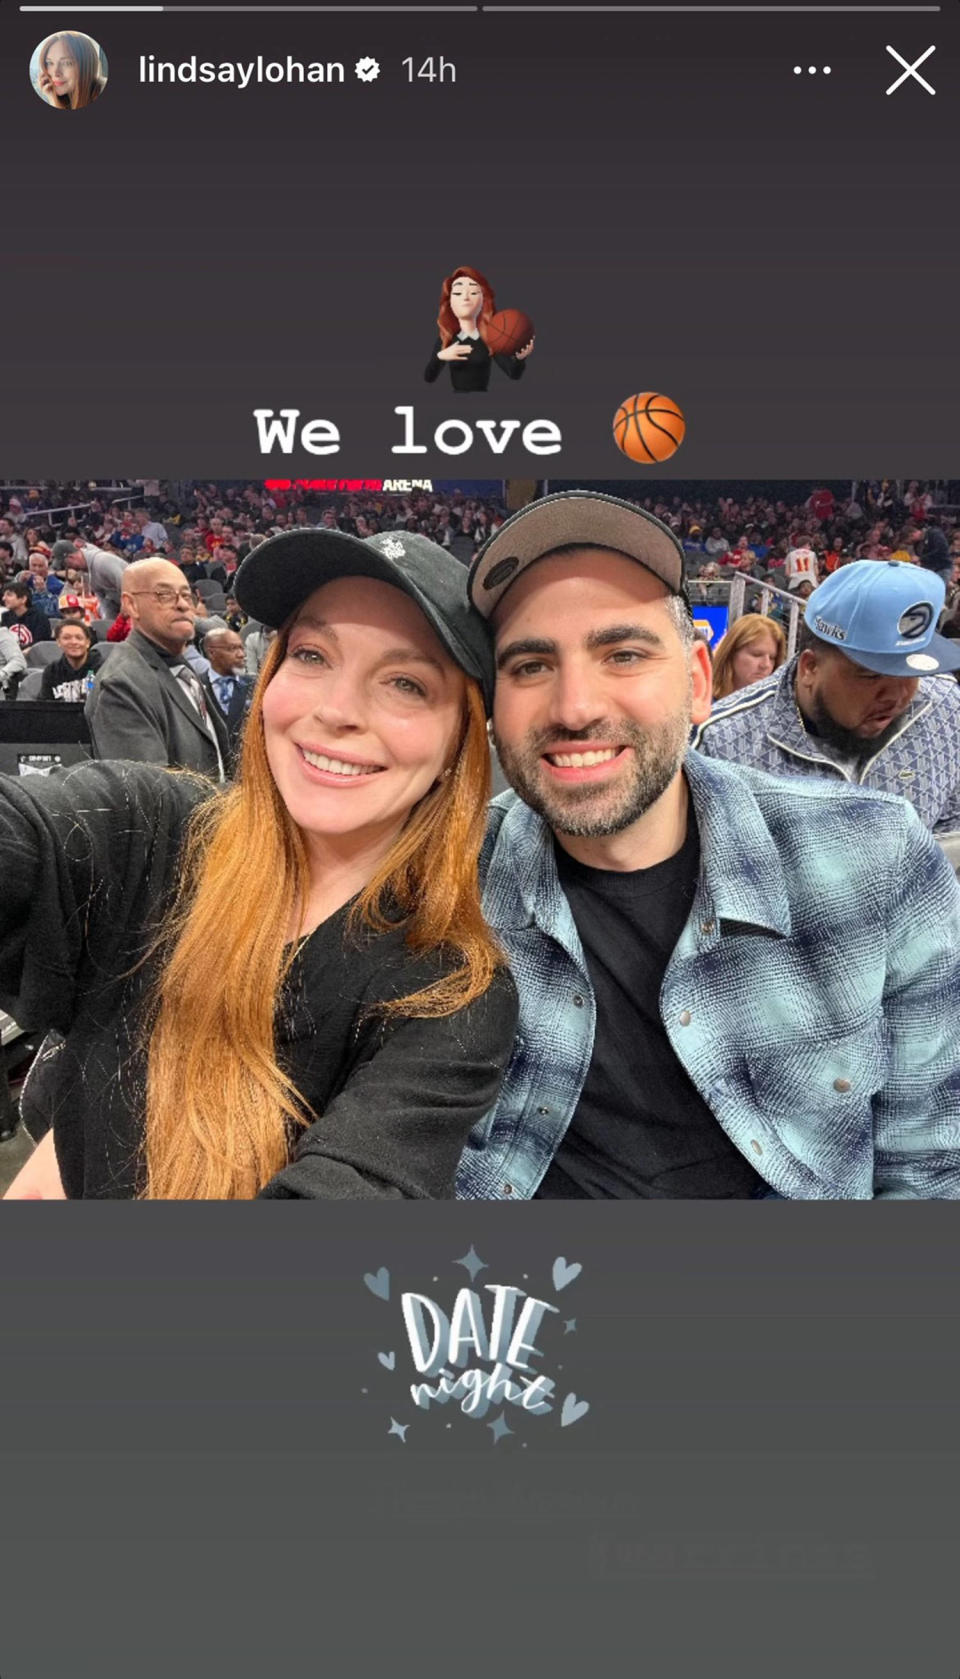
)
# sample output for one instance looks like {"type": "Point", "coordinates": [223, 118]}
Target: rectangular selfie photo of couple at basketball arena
{"type": "Point", "coordinates": [483, 842]}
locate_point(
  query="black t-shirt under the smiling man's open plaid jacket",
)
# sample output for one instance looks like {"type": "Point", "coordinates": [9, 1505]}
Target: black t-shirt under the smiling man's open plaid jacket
{"type": "Point", "coordinates": [640, 1127]}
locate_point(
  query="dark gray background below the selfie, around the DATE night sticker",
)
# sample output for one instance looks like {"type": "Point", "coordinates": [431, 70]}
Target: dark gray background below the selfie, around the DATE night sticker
{"type": "Point", "coordinates": [196, 1483]}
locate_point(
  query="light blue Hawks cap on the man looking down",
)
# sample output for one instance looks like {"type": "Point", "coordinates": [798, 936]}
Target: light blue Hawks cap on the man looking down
{"type": "Point", "coordinates": [884, 615]}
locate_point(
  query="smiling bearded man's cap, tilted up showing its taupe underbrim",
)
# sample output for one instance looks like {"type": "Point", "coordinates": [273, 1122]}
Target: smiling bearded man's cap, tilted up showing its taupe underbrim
{"type": "Point", "coordinates": [573, 518]}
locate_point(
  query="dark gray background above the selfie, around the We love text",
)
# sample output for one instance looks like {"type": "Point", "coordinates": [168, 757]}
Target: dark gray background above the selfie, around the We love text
{"type": "Point", "coordinates": [672, 206]}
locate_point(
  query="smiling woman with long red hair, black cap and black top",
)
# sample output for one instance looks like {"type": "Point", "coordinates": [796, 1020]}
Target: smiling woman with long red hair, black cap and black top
{"type": "Point", "coordinates": [286, 988]}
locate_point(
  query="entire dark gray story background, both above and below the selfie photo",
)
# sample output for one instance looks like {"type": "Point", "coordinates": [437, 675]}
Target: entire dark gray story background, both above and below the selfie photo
{"type": "Point", "coordinates": [192, 1478]}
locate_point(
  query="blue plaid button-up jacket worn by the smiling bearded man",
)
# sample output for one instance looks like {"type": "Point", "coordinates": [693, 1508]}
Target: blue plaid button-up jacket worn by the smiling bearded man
{"type": "Point", "coordinates": [813, 996]}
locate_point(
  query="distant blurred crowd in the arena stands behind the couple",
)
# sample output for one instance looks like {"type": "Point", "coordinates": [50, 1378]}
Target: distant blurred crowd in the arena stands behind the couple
{"type": "Point", "coordinates": [63, 545]}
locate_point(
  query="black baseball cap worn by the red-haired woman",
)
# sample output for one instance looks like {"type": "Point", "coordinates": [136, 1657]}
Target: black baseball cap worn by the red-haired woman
{"type": "Point", "coordinates": [281, 573]}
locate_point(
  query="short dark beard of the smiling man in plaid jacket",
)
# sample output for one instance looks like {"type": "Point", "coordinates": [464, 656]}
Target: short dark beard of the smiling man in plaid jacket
{"type": "Point", "coordinates": [597, 810]}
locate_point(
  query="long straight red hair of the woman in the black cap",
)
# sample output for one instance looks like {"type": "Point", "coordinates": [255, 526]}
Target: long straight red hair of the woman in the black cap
{"type": "Point", "coordinates": [219, 1107]}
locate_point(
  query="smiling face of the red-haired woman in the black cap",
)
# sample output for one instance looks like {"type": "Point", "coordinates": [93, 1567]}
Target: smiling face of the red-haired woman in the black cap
{"type": "Point", "coordinates": [363, 714]}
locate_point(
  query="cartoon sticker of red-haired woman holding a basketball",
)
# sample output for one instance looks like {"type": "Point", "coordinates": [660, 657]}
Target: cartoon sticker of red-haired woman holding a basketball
{"type": "Point", "coordinates": [474, 335]}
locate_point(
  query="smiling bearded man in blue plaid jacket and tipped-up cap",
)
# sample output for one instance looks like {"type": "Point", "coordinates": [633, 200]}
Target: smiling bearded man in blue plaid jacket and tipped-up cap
{"type": "Point", "coordinates": [733, 986]}
